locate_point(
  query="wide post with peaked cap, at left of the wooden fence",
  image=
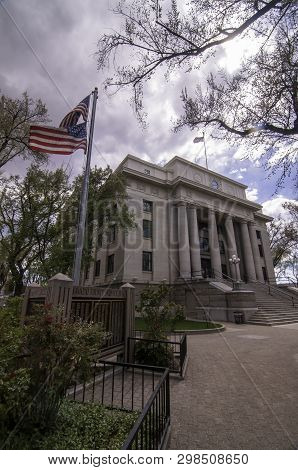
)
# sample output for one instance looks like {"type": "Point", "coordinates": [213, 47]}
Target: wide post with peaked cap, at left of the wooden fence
{"type": "Point", "coordinates": [59, 294]}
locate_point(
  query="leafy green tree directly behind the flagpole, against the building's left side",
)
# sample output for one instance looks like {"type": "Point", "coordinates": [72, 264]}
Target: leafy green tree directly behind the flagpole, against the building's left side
{"type": "Point", "coordinates": [106, 208]}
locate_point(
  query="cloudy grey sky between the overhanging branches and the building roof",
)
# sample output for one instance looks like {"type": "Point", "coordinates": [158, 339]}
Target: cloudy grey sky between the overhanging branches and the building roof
{"type": "Point", "coordinates": [47, 48]}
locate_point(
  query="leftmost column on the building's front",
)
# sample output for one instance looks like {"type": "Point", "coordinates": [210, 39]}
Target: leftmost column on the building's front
{"type": "Point", "coordinates": [183, 238]}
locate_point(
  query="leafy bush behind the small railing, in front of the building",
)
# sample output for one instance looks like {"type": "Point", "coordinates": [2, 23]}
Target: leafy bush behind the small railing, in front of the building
{"type": "Point", "coordinates": [158, 312]}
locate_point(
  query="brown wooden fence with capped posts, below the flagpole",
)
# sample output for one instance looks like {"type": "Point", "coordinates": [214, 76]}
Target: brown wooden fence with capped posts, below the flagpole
{"type": "Point", "coordinates": [114, 308]}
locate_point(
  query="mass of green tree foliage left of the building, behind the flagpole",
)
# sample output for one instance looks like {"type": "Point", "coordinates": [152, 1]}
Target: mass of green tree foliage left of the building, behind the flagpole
{"type": "Point", "coordinates": [38, 221]}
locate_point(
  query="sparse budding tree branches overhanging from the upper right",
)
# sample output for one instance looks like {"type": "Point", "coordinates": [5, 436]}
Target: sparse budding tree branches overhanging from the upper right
{"type": "Point", "coordinates": [258, 104]}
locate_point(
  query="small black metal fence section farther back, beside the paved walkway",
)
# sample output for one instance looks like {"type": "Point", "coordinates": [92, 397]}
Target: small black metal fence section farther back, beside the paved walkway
{"type": "Point", "coordinates": [171, 353]}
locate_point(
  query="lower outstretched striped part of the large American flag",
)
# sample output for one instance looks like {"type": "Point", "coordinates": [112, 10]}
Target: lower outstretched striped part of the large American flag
{"type": "Point", "coordinates": [60, 141]}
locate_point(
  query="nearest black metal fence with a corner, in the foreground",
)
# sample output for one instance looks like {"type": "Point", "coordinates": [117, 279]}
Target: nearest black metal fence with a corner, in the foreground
{"type": "Point", "coordinates": [131, 387]}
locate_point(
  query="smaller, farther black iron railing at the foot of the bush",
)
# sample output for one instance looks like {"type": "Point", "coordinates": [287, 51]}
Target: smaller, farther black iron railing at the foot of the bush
{"type": "Point", "coordinates": [175, 352]}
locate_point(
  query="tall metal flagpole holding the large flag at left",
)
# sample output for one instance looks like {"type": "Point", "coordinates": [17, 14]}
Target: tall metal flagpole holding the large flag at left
{"type": "Point", "coordinates": [84, 199]}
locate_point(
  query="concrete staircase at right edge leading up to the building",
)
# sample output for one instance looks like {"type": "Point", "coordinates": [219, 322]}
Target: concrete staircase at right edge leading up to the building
{"type": "Point", "coordinates": [273, 309]}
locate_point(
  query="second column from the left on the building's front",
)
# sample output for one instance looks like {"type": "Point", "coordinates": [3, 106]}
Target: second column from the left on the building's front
{"type": "Point", "coordinates": [194, 240]}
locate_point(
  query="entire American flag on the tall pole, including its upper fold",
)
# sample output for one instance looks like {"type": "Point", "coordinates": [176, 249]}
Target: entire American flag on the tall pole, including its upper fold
{"type": "Point", "coordinates": [65, 139]}
